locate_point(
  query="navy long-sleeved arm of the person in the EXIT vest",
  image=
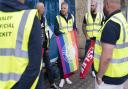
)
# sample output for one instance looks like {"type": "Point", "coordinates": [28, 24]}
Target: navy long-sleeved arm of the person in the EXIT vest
{"type": "Point", "coordinates": [34, 51]}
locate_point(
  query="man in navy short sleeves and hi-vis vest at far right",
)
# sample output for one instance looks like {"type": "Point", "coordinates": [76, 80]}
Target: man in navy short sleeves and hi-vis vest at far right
{"type": "Point", "coordinates": [111, 48]}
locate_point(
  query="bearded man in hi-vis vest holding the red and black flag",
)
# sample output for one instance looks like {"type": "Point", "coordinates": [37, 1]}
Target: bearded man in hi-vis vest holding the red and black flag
{"type": "Point", "coordinates": [91, 25]}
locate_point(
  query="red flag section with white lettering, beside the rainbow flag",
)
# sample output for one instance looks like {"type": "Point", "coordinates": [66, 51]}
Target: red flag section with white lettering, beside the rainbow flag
{"type": "Point", "coordinates": [85, 67]}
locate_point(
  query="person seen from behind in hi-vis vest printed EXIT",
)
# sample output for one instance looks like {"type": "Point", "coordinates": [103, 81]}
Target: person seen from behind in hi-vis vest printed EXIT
{"type": "Point", "coordinates": [20, 46]}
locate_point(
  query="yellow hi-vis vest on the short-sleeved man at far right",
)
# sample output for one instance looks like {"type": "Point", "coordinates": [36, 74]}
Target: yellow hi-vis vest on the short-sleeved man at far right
{"type": "Point", "coordinates": [118, 66]}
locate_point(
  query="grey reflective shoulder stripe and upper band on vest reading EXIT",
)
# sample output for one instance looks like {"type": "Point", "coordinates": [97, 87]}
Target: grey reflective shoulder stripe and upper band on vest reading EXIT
{"type": "Point", "coordinates": [16, 52]}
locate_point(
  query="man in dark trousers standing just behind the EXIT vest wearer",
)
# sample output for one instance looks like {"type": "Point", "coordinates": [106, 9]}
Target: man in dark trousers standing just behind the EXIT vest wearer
{"type": "Point", "coordinates": [45, 45]}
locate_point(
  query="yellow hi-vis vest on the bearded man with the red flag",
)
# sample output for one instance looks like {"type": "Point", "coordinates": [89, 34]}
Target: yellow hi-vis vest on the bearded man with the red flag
{"type": "Point", "coordinates": [92, 27]}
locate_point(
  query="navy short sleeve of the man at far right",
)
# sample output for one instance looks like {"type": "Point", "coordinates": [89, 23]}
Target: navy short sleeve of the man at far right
{"type": "Point", "coordinates": [113, 30]}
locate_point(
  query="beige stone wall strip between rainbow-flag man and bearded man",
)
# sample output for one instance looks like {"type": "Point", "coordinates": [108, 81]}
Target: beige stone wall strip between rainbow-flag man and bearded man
{"type": "Point", "coordinates": [81, 7]}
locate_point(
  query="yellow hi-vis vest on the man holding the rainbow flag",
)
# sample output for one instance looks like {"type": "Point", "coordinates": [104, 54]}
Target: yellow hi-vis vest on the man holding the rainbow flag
{"type": "Point", "coordinates": [63, 25]}
